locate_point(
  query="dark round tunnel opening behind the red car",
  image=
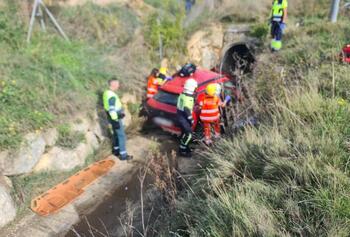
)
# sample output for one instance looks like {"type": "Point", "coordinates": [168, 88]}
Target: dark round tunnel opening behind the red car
{"type": "Point", "coordinates": [238, 58]}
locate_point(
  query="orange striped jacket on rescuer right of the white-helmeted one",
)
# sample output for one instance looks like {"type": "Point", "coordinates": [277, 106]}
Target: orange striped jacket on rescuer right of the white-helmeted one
{"type": "Point", "coordinates": [210, 109]}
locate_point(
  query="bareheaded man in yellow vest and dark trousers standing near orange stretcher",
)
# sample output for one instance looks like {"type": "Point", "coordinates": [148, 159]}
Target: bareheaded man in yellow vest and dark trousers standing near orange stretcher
{"type": "Point", "coordinates": [115, 114]}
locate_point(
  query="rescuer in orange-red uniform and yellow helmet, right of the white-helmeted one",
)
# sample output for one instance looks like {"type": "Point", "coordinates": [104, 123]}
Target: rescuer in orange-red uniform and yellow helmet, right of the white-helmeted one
{"type": "Point", "coordinates": [210, 113]}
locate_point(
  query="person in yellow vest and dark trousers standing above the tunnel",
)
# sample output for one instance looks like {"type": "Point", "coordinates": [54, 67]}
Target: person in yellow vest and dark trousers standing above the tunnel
{"type": "Point", "coordinates": [278, 23]}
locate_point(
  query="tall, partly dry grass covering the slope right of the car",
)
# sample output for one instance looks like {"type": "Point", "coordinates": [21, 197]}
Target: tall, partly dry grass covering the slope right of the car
{"type": "Point", "coordinates": [290, 176]}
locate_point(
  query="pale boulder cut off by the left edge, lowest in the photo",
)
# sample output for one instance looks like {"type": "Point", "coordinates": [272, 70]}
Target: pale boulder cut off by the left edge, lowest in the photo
{"type": "Point", "coordinates": [8, 209]}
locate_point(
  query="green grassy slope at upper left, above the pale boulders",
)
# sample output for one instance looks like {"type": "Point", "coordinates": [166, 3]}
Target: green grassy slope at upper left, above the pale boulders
{"type": "Point", "coordinates": [44, 83]}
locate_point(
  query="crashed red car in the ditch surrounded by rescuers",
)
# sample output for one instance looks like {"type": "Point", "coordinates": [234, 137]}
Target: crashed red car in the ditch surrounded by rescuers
{"type": "Point", "coordinates": [162, 107]}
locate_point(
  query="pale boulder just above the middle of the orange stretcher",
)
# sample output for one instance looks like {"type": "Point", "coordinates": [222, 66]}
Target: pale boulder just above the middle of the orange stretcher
{"type": "Point", "coordinates": [60, 160]}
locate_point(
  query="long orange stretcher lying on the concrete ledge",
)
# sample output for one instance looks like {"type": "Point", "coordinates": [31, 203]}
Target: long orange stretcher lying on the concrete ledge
{"type": "Point", "coordinates": [64, 193]}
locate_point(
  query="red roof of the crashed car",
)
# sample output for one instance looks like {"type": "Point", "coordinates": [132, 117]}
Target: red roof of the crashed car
{"type": "Point", "coordinates": [203, 77]}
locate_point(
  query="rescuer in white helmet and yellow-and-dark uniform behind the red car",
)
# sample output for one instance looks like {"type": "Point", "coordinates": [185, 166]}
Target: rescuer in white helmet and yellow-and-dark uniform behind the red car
{"type": "Point", "coordinates": [185, 106]}
